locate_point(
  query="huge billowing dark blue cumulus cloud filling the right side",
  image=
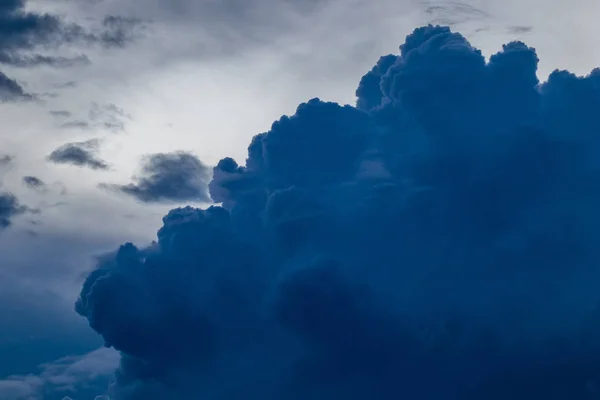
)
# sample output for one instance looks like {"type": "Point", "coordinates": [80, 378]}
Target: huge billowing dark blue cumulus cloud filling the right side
{"type": "Point", "coordinates": [439, 240]}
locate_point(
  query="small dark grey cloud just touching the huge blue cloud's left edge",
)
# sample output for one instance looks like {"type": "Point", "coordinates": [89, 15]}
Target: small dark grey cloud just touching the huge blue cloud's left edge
{"type": "Point", "coordinates": [168, 177]}
